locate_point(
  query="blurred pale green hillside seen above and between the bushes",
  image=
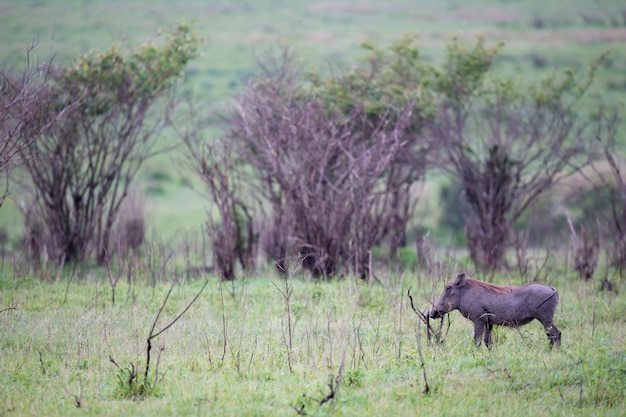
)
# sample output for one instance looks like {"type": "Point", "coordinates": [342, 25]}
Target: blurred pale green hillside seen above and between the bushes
{"type": "Point", "coordinates": [541, 38]}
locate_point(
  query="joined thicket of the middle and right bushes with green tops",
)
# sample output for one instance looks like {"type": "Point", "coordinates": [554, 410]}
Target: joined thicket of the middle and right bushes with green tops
{"type": "Point", "coordinates": [334, 160]}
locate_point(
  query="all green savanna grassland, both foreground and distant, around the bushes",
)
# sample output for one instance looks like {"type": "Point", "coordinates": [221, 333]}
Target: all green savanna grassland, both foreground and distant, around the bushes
{"type": "Point", "coordinates": [73, 339]}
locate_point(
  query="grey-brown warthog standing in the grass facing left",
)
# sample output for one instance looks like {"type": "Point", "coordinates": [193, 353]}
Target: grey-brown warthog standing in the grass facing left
{"type": "Point", "coordinates": [487, 305]}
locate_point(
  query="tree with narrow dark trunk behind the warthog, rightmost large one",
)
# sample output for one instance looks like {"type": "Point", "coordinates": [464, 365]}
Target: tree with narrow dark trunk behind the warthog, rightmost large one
{"type": "Point", "coordinates": [506, 143]}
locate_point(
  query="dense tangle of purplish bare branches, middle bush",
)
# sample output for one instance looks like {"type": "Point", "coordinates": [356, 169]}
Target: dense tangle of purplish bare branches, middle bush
{"type": "Point", "coordinates": [333, 177]}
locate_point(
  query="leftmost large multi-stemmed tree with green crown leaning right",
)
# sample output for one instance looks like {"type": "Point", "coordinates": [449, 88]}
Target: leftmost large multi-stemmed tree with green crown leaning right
{"type": "Point", "coordinates": [81, 170]}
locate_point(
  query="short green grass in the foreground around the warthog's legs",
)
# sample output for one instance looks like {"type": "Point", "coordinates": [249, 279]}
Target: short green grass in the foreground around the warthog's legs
{"type": "Point", "coordinates": [230, 355]}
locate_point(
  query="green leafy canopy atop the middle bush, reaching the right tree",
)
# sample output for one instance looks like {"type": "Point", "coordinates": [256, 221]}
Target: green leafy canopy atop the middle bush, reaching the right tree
{"type": "Point", "coordinates": [388, 79]}
